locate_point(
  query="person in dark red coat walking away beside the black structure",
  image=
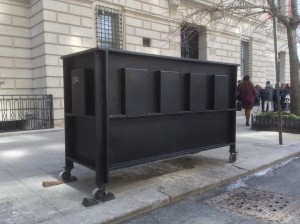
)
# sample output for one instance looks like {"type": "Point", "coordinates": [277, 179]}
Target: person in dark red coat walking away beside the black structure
{"type": "Point", "coordinates": [247, 95]}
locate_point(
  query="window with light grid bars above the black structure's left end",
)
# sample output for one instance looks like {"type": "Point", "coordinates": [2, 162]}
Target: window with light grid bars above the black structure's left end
{"type": "Point", "coordinates": [108, 27]}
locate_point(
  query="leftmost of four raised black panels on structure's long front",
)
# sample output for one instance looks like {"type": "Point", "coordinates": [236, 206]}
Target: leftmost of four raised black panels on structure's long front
{"type": "Point", "coordinates": [135, 92]}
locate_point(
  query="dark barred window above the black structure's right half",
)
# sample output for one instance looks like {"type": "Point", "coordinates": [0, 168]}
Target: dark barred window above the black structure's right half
{"type": "Point", "coordinates": [189, 42]}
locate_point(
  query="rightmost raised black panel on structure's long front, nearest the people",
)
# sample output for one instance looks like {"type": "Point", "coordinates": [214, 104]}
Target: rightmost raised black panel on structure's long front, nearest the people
{"type": "Point", "coordinates": [221, 92]}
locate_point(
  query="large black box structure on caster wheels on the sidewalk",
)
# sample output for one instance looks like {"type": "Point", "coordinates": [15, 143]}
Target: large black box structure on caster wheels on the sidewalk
{"type": "Point", "coordinates": [124, 108]}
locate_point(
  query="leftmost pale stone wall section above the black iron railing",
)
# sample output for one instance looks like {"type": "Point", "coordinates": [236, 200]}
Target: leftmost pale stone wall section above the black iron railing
{"type": "Point", "coordinates": [15, 48]}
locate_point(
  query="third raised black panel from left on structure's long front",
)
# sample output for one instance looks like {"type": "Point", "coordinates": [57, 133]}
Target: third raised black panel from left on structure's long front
{"type": "Point", "coordinates": [197, 93]}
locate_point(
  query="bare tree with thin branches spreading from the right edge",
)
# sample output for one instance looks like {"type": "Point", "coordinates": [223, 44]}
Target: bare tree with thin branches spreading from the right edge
{"type": "Point", "coordinates": [227, 14]}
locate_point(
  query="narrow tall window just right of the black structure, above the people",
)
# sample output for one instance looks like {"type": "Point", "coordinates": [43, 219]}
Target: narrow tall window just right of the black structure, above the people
{"type": "Point", "coordinates": [245, 58]}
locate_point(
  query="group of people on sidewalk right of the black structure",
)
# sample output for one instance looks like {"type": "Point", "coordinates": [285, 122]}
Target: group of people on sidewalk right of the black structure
{"type": "Point", "coordinates": [251, 95]}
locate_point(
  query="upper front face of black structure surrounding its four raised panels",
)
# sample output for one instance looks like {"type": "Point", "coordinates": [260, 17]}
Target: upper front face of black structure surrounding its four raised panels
{"type": "Point", "coordinates": [118, 60]}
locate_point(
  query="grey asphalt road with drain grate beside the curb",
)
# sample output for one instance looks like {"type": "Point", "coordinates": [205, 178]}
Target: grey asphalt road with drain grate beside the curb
{"type": "Point", "coordinates": [270, 196]}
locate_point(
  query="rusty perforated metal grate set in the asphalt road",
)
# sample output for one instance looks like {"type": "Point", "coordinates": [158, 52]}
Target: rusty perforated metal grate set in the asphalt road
{"type": "Point", "coordinates": [263, 204]}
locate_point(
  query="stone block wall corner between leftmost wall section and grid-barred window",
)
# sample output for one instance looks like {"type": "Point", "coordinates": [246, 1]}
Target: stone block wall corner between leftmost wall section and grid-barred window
{"type": "Point", "coordinates": [58, 28]}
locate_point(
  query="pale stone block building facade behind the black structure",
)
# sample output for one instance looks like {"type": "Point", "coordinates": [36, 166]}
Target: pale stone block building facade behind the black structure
{"type": "Point", "coordinates": [34, 34]}
